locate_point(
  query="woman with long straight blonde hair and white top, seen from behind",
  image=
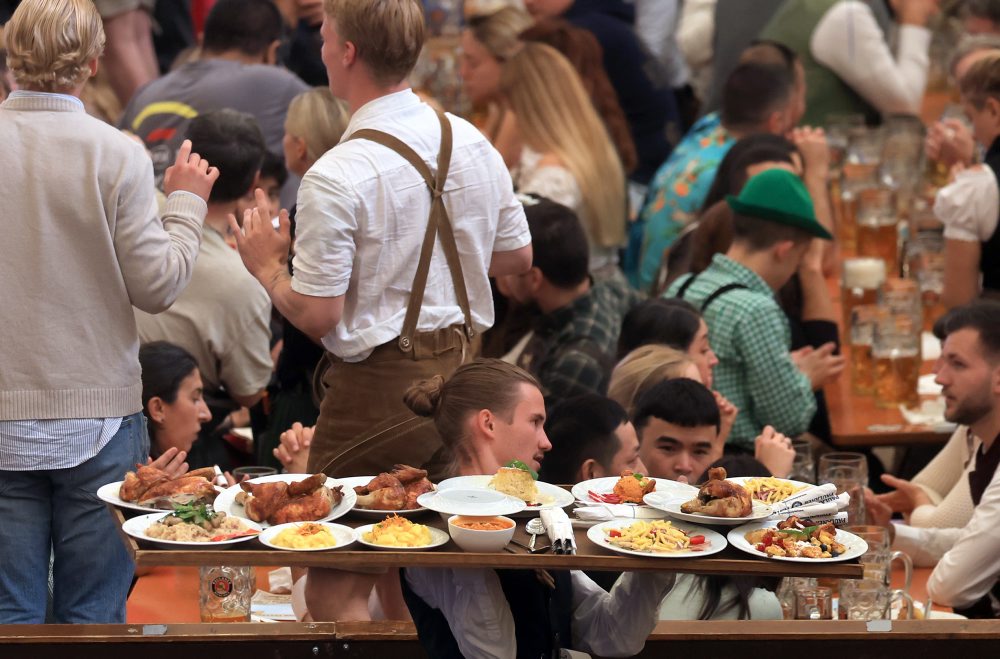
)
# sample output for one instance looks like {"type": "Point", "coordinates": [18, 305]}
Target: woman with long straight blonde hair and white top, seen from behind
{"type": "Point", "coordinates": [567, 154]}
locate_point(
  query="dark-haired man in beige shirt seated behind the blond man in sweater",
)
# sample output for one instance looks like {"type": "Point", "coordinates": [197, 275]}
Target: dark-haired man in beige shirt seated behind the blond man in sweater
{"type": "Point", "coordinates": [222, 318]}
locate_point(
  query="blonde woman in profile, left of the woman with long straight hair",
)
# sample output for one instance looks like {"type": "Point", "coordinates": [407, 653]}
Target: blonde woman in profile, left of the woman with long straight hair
{"type": "Point", "coordinates": [488, 42]}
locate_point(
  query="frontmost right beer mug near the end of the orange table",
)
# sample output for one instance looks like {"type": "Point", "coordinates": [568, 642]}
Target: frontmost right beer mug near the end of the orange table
{"type": "Point", "coordinates": [896, 353]}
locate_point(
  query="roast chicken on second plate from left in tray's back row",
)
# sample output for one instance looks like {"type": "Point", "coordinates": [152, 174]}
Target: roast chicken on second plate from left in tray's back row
{"type": "Point", "coordinates": [277, 502]}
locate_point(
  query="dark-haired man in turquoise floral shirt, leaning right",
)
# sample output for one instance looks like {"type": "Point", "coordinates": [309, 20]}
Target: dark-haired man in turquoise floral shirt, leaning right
{"type": "Point", "coordinates": [764, 94]}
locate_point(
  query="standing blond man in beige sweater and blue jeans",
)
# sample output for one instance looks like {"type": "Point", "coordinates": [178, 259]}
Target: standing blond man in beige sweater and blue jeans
{"type": "Point", "coordinates": [82, 246]}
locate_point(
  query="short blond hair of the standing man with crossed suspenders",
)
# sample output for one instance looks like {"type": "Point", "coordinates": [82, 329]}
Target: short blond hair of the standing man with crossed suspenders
{"type": "Point", "coordinates": [388, 34]}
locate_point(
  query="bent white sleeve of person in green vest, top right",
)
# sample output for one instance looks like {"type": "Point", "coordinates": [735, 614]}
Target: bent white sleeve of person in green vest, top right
{"type": "Point", "coordinates": [849, 42]}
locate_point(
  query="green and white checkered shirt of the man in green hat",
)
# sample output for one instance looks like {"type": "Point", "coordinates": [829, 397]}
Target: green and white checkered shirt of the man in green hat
{"type": "Point", "coordinates": [749, 334]}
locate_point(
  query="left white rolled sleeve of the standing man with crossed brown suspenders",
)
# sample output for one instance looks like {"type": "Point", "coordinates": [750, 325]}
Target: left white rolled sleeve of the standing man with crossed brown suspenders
{"type": "Point", "coordinates": [326, 223]}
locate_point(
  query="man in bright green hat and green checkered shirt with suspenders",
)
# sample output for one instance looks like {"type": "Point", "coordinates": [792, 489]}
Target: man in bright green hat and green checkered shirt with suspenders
{"type": "Point", "coordinates": [773, 224]}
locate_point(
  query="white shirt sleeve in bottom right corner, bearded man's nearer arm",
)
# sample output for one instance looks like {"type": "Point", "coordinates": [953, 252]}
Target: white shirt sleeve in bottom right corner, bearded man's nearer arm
{"type": "Point", "coordinates": [970, 568]}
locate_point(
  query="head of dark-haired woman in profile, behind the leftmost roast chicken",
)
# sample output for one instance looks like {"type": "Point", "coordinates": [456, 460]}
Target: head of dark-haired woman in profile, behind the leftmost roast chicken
{"type": "Point", "coordinates": [171, 401]}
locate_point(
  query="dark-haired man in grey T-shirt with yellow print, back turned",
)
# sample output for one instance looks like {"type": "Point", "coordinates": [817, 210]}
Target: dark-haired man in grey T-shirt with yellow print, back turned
{"type": "Point", "coordinates": [237, 69]}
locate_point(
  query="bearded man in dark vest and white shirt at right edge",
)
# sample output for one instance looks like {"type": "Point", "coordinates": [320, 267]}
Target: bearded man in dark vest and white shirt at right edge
{"type": "Point", "coordinates": [968, 559]}
